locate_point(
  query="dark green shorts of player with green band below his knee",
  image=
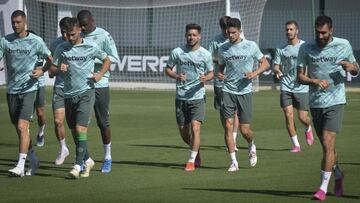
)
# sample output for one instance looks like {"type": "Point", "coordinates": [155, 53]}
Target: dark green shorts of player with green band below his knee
{"type": "Point", "coordinates": [78, 109]}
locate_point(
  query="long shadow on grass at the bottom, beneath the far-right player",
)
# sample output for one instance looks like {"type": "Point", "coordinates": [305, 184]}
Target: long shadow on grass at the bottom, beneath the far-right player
{"type": "Point", "coordinates": [298, 194]}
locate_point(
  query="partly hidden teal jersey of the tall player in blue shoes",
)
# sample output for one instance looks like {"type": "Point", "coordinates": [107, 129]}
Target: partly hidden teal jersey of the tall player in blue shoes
{"type": "Point", "coordinates": [106, 43]}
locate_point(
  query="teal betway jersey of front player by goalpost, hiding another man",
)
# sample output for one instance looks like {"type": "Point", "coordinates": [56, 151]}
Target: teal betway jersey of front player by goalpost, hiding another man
{"type": "Point", "coordinates": [238, 60]}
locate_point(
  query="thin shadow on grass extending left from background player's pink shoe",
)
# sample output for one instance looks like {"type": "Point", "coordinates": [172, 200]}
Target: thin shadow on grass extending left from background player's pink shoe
{"type": "Point", "coordinates": [203, 147]}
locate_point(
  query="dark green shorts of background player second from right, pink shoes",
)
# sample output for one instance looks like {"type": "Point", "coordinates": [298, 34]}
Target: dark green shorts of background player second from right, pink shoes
{"type": "Point", "coordinates": [299, 100]}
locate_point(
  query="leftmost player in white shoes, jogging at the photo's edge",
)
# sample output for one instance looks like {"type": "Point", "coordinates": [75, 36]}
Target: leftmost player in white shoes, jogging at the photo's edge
{"type": "Point", "coordinates": [21, 51]}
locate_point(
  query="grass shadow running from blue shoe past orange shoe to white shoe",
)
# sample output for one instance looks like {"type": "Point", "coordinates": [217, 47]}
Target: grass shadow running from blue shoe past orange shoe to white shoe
{"type": "Point", "coordinates": [160, 164]}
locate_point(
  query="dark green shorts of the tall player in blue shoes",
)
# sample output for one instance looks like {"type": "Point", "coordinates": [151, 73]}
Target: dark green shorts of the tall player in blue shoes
{"type": "Point", "coordinates": [101, 107]}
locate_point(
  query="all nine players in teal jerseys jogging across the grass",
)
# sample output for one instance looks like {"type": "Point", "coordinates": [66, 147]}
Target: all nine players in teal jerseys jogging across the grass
{"type": "Point", "coordinates": [311, 74]}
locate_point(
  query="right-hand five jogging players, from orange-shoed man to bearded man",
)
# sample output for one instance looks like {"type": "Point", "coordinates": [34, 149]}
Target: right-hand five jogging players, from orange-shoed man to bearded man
{"type": "Point", "coordinates": [312, 76]}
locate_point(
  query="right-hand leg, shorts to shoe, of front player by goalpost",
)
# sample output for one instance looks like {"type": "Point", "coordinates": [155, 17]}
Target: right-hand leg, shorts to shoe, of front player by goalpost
{"type": "Point", "coordinates": [244, 108]}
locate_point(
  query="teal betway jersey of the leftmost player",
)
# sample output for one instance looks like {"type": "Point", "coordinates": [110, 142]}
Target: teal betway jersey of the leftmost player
{"type": "Point", "coordinates": [21, 56]}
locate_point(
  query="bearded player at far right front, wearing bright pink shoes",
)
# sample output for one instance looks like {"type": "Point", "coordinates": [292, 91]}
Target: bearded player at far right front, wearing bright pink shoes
{"type": "Point", "coordinates": [328, 59]}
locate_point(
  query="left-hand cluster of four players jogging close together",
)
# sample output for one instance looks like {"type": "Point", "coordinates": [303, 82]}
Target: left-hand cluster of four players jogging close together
{"type": "Point", "coordinates": [80, 60]}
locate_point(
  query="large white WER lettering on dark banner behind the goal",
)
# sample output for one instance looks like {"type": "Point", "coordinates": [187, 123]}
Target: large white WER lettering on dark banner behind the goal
{"type": "Point", "coordinates": [141, 64]}
